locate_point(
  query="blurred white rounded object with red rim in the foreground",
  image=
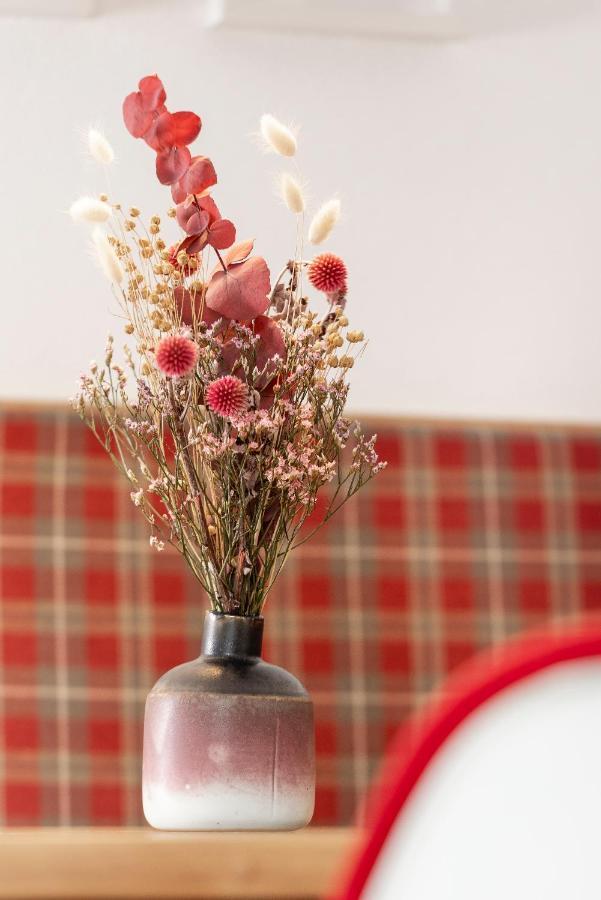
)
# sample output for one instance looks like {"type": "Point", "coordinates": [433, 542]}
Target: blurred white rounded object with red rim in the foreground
{"type": "Point", "coordinates": [506, 749]}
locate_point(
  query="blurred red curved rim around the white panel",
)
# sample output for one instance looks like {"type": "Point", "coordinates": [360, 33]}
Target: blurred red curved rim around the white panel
{"type": "Point", "coordinates": [468, 688]}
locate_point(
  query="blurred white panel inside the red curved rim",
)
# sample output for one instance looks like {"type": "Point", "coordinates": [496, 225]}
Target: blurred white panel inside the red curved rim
{"type": "Point", "coordinates": [511, 808]}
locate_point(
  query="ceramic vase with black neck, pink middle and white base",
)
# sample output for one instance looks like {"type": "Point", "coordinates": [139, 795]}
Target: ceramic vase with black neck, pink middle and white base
{"type": "Point", "coordinates": [228, 738]}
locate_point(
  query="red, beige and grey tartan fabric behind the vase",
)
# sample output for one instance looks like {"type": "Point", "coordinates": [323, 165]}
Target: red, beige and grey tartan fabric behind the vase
{"type": "Point", "coordinates": [472, 533]}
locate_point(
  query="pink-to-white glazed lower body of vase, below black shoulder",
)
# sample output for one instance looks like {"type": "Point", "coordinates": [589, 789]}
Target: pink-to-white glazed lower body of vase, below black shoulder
{"type": "Point", "coordinates": [228, 761]}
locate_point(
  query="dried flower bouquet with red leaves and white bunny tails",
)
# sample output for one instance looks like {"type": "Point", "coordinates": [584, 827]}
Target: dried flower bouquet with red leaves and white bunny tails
{"type": "Point", "coordinates": [234, 421]}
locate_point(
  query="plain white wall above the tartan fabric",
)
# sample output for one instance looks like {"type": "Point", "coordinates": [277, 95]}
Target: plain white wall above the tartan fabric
{"type": "Point", "coordinates": [470, 174]}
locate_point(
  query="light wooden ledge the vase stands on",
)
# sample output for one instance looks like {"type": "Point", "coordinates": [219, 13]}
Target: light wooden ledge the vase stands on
{"type": "Point", "coordinates": [126, 863]}
